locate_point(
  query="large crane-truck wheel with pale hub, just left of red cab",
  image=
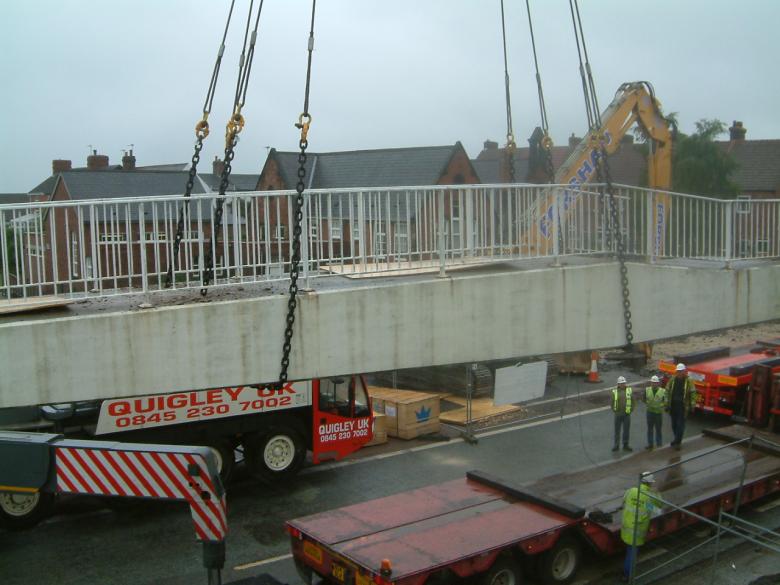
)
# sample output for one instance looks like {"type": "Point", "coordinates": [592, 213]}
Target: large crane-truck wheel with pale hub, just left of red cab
{"type": "Point", "coordinates": [275, 455]}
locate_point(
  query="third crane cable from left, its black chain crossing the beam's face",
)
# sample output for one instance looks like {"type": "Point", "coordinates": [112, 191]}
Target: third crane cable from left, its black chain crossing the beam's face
{"type": "Point", "coordinates": [303, 124]}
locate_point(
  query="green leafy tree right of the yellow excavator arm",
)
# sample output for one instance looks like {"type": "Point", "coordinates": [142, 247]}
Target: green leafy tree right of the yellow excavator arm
{"type": "Point", "coordinates": [699, 166]}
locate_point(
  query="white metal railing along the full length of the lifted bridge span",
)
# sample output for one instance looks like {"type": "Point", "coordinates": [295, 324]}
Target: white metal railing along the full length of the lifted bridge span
{"type": "Point", "coordinates": [114, 246]}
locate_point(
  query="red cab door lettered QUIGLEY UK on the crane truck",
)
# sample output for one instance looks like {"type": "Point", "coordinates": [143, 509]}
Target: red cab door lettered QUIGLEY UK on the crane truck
{"type": "Point", "coordinates": [342, 417]}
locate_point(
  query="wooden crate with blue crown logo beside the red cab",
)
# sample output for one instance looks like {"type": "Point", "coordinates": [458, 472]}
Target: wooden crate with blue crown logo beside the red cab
{"type": "Point", "coordinates": [409, 414]}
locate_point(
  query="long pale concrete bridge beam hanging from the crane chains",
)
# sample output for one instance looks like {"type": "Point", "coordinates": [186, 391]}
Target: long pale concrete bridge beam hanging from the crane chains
{"type": "Point", "coordinates": [364, 329]}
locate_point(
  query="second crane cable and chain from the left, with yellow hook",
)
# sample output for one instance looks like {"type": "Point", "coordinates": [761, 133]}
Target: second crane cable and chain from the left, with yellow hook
{"type": "Point", "coordinates": [233, 128]}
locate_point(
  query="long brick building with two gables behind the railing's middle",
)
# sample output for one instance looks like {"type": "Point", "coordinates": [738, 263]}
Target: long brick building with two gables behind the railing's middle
{"type": "Point", "coordinates": [391, 228]}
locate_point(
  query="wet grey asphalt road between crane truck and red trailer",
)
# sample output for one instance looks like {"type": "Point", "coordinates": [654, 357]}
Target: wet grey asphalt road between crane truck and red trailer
{"type": "Point", "coordinates": [154, 543]}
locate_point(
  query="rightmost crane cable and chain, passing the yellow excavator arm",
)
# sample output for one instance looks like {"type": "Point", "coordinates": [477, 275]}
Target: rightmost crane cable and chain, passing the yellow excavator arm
{"type": "Point", "coordinates": [598, 143]}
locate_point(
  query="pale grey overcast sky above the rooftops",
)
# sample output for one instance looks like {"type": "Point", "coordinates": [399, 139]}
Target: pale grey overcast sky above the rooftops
{"type": "Point", "coordinates": [385, 73]}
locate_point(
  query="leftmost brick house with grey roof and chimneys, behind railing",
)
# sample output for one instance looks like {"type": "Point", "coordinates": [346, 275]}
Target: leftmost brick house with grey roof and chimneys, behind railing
{"type": "Point", "coordinates": [119, 231]}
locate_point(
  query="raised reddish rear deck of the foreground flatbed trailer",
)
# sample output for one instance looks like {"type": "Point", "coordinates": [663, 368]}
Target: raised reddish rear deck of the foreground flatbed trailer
{"type": "Point", "coordinates": [429, 527]}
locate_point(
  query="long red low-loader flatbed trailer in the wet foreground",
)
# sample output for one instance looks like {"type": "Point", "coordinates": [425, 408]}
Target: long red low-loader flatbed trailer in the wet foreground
{"type": "Point", "coordinates": [481, 525]}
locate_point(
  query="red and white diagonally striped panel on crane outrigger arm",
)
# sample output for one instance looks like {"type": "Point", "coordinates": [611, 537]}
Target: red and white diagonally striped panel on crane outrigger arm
{"type": "Point", "coordinates": [145, 474]}
